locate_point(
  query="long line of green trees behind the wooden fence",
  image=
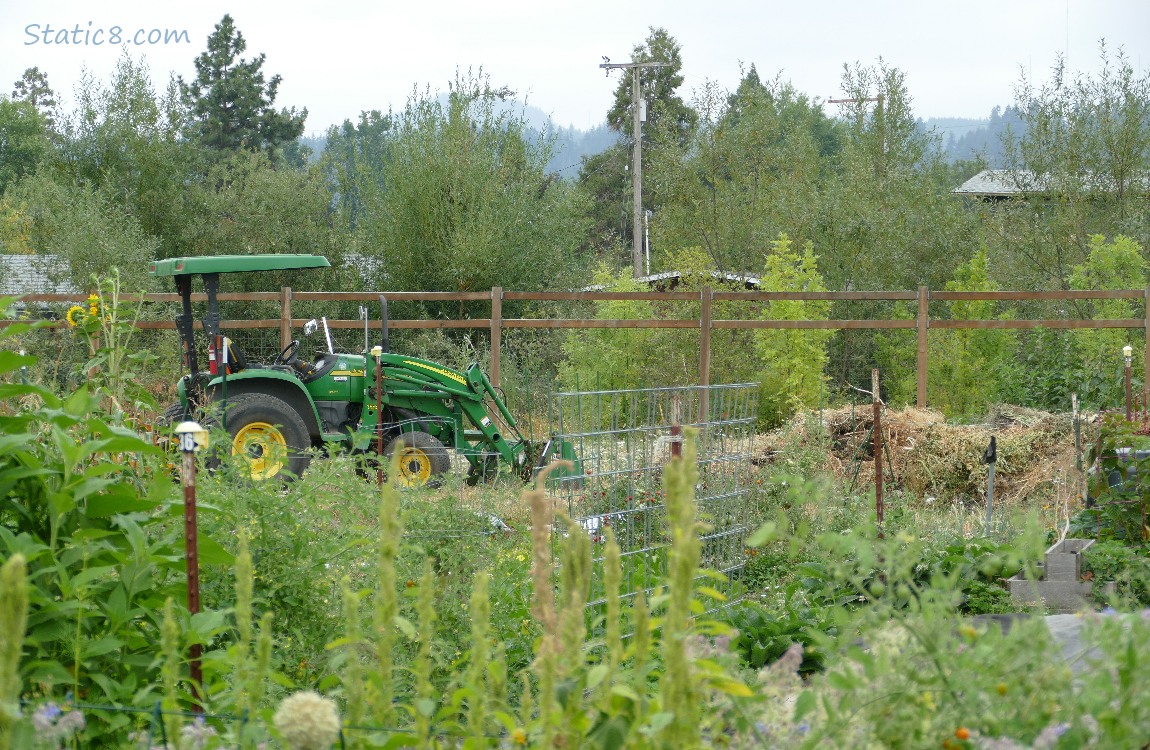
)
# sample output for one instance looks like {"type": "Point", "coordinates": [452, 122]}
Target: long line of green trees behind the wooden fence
{"type": "Point", "coordinates": [454, 192]}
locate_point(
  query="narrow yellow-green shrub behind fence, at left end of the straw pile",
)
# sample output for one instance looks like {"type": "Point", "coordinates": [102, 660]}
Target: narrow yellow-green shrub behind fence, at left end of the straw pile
{"type": "Point", "coordinates": [793, 359]}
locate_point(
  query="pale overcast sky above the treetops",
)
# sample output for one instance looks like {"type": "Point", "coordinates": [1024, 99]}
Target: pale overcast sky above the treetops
{"type": "Point", "coordinates": [342, 58]}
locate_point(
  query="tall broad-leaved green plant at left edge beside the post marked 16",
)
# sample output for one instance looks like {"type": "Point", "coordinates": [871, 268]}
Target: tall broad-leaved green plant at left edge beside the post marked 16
{"type": "Point", "coordinates": [81, 502]}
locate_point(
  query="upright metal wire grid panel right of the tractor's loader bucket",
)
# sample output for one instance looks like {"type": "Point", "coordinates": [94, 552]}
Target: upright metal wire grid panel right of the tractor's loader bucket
{"type": "Point", "coordinates": [624, 439]}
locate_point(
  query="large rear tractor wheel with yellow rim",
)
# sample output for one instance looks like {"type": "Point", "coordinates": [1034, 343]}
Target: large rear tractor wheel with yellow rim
{"type": "Point", "coordinates": [269, 439]}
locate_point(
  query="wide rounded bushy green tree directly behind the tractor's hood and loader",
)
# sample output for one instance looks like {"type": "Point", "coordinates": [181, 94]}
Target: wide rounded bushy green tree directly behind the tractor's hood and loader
{"type": "Point", "coordinates": [462, 202]}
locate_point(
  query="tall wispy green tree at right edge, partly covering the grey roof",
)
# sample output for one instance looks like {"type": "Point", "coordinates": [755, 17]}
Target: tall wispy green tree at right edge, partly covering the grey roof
{"type": "Point", "coordinates": [1084, 140]}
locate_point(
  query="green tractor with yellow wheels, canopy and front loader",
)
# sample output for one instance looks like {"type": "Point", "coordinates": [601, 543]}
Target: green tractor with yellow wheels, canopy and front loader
{"type": "Point", "coordinates": [375, 402]}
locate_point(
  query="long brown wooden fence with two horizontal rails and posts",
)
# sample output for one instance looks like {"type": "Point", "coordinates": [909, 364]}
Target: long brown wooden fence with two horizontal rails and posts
{"type": "Point", "coordinates": [496, 324]}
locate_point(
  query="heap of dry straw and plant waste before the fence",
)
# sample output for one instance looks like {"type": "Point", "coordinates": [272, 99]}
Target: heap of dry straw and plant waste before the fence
{"type": "Point", "coordinates": [931, 458]}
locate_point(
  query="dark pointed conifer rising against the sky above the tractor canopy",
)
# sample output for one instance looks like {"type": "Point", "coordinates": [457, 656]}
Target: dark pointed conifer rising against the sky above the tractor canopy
{"type": "Point", "coordinates": [232, 104]}
